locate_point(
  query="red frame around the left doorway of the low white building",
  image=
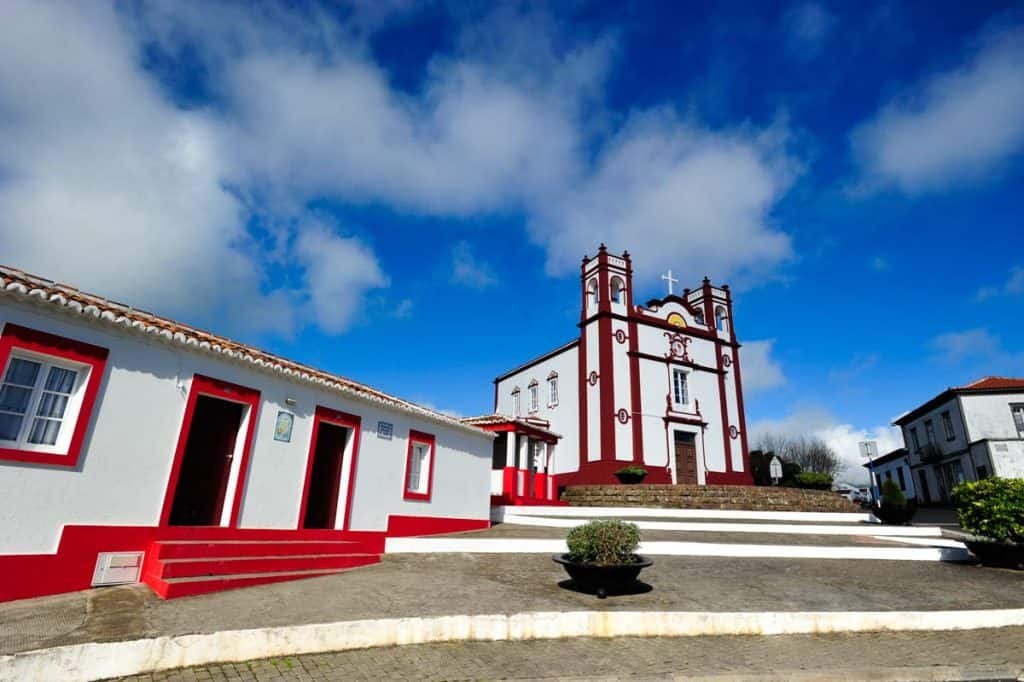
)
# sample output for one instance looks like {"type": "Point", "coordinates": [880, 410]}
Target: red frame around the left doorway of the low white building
{"type": "Point", "coordinates": [202, 386]}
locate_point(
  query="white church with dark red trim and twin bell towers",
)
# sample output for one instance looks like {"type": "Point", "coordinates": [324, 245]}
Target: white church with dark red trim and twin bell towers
{"type": "Point", "coordinates": [657, 386]}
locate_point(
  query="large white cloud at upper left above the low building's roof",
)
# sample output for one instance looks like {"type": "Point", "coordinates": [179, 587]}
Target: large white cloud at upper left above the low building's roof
{"type": "Point", "coordinates": [107, 186]}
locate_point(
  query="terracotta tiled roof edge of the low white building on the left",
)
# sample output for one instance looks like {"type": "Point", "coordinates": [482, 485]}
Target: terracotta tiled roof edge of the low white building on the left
{"type": "Point", "coordinates": [20, 284]}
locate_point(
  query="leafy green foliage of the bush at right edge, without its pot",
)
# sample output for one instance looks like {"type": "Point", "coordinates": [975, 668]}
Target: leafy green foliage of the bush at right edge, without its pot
{"type": "Point", "coordinates": [993, 508]}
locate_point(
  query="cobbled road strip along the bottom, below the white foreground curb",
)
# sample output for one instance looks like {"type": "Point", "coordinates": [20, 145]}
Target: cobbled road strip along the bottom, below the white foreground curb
{"type": "Point", "coordinates": [972, 655]}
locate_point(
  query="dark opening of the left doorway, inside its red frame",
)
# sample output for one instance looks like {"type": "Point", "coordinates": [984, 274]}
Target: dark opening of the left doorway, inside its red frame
{"type": "Point", "coordinates": [199, 498]}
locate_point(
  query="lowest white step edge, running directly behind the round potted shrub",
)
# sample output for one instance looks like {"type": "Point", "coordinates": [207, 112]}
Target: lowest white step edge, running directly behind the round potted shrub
{"type": "Point", "coordinates": [660, 548]}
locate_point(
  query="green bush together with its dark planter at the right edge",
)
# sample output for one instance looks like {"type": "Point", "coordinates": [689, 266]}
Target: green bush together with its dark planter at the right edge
{"type": "Point", "coordinates": [993, 511]}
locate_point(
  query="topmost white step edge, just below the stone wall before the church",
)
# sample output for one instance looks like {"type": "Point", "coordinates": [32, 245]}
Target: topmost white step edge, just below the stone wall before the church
{"type": "Point", "coordinates": [498, 514]}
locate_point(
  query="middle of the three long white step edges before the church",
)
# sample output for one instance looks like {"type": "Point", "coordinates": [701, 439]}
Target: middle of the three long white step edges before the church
{"type": "Point", "coordinates": [777, 529]}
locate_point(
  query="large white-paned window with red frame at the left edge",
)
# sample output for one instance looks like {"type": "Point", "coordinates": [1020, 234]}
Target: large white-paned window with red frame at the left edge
{"type": "Point", "coordinates": [48, 392]}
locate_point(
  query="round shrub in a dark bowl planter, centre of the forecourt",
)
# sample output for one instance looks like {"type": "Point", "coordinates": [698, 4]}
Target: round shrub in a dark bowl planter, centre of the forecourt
{"type": "Point", "coordinates": [603, 557]}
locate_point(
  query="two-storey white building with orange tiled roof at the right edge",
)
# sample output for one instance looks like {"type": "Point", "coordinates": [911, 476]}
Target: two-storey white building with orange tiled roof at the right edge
{"type": "Point", "coordinates": [965, 434]}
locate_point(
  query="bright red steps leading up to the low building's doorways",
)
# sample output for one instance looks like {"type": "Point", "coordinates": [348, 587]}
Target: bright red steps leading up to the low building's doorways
{"type": "Point", "coordinates": [197, 562]}
